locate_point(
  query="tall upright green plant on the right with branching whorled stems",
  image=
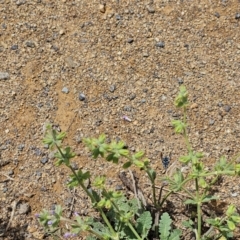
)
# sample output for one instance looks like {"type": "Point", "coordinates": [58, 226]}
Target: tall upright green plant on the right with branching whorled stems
{"type": "Point", "coordinates": [202, 181]}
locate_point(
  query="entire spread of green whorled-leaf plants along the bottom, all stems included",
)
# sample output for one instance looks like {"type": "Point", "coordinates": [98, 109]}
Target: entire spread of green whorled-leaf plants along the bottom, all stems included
{"type": "Point", "coordinates": [123, 218]}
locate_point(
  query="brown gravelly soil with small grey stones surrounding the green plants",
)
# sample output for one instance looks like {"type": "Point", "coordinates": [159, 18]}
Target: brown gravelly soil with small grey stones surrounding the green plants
{"type": "Point", "coordinates": [84, 64]}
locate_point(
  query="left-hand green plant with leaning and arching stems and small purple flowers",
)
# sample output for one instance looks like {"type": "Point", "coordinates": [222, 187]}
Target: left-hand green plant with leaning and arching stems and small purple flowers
{"type": "Point", "coordinates": [121, 218]}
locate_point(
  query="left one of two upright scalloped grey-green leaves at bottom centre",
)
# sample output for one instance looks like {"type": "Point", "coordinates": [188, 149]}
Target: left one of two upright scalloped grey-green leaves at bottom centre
{"type": "Point", "coordinates": [144, 223]}
